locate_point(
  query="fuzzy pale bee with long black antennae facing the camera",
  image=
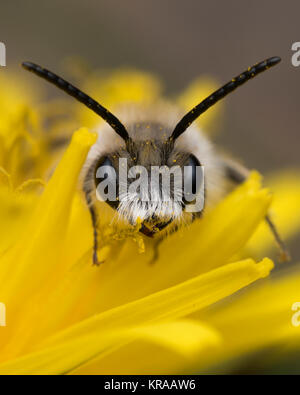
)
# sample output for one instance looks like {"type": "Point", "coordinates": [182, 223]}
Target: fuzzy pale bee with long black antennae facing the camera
{"type": "Point", "coordinates": [154, 137]}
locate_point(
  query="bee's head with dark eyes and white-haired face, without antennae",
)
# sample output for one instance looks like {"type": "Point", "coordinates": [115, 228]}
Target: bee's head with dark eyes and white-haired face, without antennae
{"type": "Point", "coordinates": [150, 181]}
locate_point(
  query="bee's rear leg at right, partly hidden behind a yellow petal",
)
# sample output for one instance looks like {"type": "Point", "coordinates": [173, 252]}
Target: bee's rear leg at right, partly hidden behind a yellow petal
{"type": "Point", "coordinates": [238, 174]}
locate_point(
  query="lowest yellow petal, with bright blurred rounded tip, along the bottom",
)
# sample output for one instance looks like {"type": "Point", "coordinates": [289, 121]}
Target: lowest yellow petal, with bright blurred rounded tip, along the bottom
{"type": "Point", "coordinates": [184, 337]}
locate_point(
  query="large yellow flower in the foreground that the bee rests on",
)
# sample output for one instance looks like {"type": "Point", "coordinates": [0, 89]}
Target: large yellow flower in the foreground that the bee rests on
{"type": "Point", "coordinates": [66, 316]}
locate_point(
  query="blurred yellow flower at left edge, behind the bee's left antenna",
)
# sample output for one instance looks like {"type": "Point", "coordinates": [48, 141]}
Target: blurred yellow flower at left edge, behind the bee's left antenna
{"type": "Point", "coordinates": [27, 149]}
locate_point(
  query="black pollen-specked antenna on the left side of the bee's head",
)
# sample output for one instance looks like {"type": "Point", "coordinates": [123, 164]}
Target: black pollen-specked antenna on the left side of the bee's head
{"type": "Point", "coordinates": [80, 96]}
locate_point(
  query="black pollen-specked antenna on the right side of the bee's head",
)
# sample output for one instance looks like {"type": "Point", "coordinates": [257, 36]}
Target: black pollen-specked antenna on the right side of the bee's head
{"type": "Point", "coordinates": [219, 94]}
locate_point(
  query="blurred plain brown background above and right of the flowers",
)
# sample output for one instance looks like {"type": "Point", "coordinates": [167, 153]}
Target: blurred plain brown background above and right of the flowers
{"type": "Point", "coordinates": [179, 40]}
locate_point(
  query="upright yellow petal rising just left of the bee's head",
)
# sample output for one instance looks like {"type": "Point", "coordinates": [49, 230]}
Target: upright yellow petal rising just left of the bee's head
{"type": "Point", "coordinates": [48, 225]}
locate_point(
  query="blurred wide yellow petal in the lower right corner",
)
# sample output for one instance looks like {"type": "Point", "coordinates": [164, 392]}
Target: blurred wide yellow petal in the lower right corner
{"type": "Point", "coordinates": [258, 319]}
